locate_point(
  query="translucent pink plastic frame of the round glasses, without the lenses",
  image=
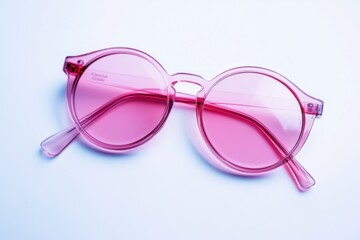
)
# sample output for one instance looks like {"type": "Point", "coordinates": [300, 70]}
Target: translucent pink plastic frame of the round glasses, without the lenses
{"type": "Point", "coordinates": [74, 66]}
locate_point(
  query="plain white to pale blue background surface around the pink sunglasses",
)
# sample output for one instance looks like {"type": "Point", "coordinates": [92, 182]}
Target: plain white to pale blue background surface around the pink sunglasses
{"type": "Point", "coordinates": [165, 190]}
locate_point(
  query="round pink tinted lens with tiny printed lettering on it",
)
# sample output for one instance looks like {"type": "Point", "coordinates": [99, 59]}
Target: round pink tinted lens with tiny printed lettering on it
{"type": "Point", "coordinates": [120, 100]}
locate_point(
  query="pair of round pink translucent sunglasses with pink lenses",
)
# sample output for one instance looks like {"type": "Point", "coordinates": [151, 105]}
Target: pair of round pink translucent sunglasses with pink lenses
{"type": "Point", "coordinates": [252, 119]}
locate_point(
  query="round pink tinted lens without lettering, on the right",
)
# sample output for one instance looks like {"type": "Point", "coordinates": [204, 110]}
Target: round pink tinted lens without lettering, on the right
{"type": "Point", "coordinates": [251, 120]}
